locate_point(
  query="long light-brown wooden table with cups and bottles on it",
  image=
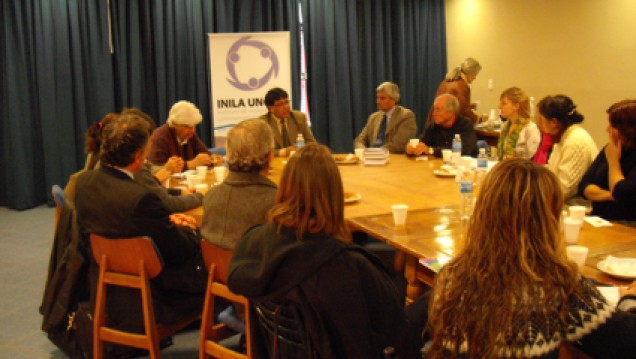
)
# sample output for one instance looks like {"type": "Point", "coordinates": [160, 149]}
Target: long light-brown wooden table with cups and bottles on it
{"type": "Point", "coordinates": [434, 228]}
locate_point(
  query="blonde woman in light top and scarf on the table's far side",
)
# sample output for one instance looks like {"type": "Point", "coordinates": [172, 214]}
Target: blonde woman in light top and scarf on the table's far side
{"type": "Point", "coordinates": [520, 137]}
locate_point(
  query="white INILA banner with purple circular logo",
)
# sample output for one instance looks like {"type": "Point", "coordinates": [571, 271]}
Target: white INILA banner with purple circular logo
{"type": "Point", "coordinates": [244, 66]}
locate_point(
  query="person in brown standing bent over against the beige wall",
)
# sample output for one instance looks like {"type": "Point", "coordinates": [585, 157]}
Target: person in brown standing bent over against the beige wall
{"type": "Point", "coordinates": [457, 83]}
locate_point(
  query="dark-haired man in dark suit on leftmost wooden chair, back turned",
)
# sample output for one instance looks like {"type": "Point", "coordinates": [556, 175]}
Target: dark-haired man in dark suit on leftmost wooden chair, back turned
{"type": "Point", "coordinates": [110, 203]}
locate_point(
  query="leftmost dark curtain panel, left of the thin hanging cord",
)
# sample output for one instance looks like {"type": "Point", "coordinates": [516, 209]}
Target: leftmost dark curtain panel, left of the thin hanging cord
{"type": "Point", "coordinates": [56, 78]}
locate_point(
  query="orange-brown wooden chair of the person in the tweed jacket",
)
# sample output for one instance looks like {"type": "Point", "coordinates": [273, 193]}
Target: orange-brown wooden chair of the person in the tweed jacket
{"type": "Point", "coordinates": [217, 260]}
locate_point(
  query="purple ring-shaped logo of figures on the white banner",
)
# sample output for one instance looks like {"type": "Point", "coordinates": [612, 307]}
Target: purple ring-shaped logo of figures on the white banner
{"type": "Point", "coordinates": [233, 57]}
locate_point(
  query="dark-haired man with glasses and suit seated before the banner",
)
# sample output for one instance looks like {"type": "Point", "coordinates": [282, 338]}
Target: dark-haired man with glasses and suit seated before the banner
{"type": "Point", "coordinates": [283, 120]}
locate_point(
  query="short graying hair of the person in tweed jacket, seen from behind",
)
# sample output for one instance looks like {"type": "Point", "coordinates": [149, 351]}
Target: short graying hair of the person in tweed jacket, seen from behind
{"type": "Point", "coordinates": [249, 144]}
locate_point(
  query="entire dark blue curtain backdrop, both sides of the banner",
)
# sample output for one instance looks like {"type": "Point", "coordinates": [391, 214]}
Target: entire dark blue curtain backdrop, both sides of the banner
{"type": "Point", "coordinates": [58, 75]}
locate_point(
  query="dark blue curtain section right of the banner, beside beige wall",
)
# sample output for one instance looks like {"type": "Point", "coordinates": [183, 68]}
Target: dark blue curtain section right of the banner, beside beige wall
{"type": "Point", "coordinates": [354, 45]}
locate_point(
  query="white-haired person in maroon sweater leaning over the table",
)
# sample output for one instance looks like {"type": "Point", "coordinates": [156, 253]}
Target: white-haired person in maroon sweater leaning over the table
{"type": "Point", "coordinates": [179, 138]}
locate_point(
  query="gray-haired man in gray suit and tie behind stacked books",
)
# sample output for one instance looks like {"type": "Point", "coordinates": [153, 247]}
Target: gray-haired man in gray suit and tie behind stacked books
{"type": "Point", "coordinates": [390, 127]}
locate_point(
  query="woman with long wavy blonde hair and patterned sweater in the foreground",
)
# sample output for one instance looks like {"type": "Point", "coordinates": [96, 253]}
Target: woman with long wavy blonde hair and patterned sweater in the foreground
{"type": "Point", "coordinates": [511, 291]}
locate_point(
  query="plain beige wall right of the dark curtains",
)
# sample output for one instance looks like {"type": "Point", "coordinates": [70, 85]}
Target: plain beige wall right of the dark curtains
{"type": "Point", "coordinates": [585, 49]}
